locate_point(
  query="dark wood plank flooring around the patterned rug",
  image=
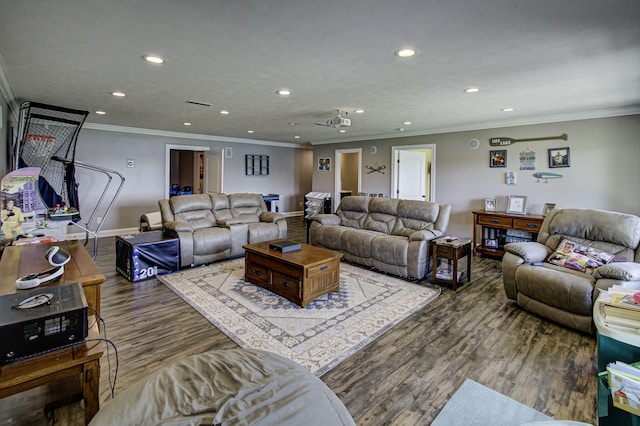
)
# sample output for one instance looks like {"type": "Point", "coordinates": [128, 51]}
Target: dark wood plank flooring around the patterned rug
{"type": "Point", "coordinates": [404, 377]}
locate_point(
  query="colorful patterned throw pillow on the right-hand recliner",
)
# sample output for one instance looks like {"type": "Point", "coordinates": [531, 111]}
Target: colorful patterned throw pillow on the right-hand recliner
{"type": "Point", "coordinates": [579, 257]}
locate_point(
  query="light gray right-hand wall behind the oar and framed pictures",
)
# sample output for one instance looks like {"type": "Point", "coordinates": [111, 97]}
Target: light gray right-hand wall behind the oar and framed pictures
{"type": "Point", "coordinates": [604, 172]}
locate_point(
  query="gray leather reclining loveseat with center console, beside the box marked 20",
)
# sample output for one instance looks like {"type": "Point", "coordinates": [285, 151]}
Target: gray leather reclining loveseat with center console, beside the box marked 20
{"type": "Point", "coordinates": [214, 226]}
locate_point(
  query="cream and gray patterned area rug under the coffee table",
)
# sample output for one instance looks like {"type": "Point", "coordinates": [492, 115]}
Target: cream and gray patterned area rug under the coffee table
{"type": "Point", "coordinates": [320, 336]}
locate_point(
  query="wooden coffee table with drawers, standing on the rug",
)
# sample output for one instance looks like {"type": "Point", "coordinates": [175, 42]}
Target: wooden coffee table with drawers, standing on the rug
{"type": "Point", "coordinates": [300, 276]}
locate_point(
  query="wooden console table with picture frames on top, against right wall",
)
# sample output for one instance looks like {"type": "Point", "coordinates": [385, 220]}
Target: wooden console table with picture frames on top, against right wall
{"type": "Point", "coordinates": [494, 225]}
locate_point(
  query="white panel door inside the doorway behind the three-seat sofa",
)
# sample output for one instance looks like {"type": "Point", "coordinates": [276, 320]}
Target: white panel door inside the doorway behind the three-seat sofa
{"type": "Point", "coordinates": [412, 168]}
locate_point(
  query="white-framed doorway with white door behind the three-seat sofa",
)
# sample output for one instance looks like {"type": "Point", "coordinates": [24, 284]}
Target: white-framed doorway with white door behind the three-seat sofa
{"type": "Point", "coordinates": [413, 172]}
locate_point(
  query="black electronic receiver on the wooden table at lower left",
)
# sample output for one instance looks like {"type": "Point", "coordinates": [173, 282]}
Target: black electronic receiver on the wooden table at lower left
{"type": "Point", "coordinates": [36, 321]}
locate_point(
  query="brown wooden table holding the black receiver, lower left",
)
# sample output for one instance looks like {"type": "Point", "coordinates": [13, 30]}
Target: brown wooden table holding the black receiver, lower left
{"type": "Point", "coordinates": [81, 360]}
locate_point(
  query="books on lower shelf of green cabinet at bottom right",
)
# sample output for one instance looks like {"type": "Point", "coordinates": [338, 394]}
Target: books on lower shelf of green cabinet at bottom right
{"type": "Point", "coordinates": [624, 382]}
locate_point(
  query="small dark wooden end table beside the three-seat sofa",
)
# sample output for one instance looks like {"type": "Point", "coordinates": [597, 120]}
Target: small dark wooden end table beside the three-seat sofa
{"type": "Point", "coordinates": [452, 250]}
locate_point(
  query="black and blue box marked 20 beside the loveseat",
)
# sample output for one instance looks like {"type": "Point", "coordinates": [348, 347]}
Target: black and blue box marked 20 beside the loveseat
{"type": "Point", "coordinates": [147, 254]}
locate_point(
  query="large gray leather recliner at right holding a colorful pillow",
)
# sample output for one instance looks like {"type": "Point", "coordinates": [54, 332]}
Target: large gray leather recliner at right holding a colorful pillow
{"type": "Point", "coordinates": [566, 295]}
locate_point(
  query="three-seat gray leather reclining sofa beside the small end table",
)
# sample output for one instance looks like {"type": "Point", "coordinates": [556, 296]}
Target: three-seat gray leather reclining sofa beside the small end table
{"type": "Point", "coordinates": [387, 234]}
